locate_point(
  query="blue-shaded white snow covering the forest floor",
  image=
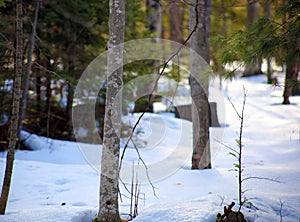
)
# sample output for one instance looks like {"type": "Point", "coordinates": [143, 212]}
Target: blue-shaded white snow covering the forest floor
{"type": "Point", "coordinates": [59, 181]}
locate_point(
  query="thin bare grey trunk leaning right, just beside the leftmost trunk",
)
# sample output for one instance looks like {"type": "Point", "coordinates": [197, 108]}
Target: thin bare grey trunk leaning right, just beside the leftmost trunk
{"type": "Point", "coordinates": [29, 64]}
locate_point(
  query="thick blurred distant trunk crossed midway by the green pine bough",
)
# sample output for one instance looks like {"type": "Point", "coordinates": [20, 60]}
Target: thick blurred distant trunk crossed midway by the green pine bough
{"type": "Point", "coordinates": [252, 16]}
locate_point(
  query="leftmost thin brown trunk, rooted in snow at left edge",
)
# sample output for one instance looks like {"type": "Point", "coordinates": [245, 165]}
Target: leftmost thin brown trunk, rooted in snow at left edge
{"type": "Point", "coordinates": [15, 110]}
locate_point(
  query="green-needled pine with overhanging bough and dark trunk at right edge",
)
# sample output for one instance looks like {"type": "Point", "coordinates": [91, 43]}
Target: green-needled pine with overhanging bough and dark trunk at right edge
{"type": "Point", "coordinates": [276, 37]}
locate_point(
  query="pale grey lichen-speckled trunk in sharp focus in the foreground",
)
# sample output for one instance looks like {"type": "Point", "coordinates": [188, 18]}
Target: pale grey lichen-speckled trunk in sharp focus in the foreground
{"type": "Point", "coordinates": [109, 183]}
